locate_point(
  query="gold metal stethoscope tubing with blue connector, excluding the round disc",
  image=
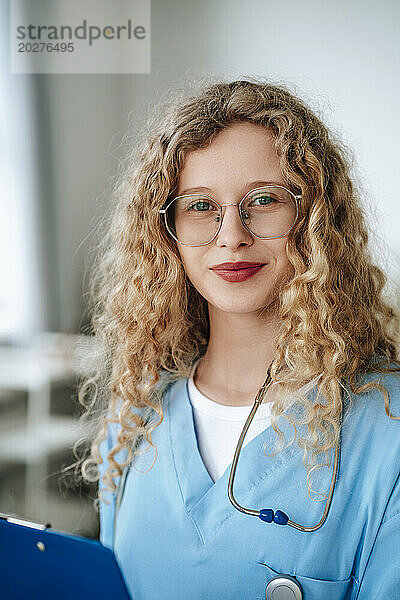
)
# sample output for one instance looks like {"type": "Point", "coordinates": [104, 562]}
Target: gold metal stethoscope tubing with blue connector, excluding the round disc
{"type": "Point", "coordinates": [258, 513]}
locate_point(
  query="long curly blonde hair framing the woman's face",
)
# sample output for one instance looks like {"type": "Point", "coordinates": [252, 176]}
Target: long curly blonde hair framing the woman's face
{"type": "Point", "coordinates": [335, 322]}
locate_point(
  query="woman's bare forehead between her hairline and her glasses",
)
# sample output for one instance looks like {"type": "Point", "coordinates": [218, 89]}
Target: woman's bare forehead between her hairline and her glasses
{"type": "Point", "coordinates": [242, 151]}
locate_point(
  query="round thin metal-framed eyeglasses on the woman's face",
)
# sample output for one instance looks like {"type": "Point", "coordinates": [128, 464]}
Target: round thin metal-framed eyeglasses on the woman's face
{"type": "Point", "coordinates": [267, 212]}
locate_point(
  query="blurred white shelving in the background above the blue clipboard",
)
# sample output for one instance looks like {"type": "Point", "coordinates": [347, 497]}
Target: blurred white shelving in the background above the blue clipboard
{"type": "Point", "coordinates": [39, 427]}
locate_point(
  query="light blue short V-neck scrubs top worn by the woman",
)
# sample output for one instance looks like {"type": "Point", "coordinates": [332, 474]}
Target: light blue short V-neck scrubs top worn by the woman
{"type": "Point", "coordinates": [178, 536]}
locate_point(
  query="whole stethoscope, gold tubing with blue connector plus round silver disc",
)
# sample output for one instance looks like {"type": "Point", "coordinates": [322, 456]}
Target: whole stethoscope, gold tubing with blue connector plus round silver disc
{"type": "Point", "coordinates": [281, 587]}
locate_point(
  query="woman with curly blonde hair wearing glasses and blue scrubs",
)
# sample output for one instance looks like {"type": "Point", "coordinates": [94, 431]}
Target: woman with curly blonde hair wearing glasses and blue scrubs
{"type": "Point", "coordinates": [237, 257]}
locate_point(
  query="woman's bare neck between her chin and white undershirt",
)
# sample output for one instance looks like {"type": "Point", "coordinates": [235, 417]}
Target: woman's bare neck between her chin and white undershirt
{"type": "Point", "coordinates": [240, 349]}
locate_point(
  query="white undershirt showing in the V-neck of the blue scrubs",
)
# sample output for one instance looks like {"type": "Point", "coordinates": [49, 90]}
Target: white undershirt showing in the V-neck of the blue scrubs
{"type": "Point", "coordinates": [218, 427]}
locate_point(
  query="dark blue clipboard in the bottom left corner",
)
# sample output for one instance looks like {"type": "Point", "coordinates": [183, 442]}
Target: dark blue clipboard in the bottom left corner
{"type": "Point", "coordinates": [41, 563]}
